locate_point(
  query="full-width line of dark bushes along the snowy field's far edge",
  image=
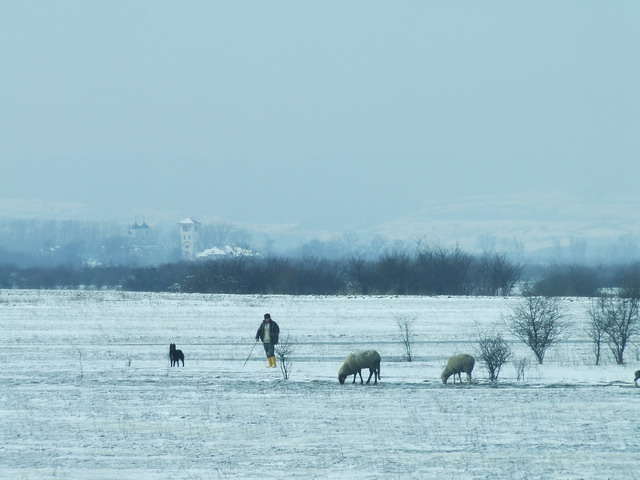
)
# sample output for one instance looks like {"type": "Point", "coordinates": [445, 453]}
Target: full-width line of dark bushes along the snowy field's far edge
{"type": "Point", "coordinates": [433, 271]}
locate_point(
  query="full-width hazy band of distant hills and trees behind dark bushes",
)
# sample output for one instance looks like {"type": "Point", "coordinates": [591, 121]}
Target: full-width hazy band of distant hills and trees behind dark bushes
{"type": "Point", "coordinates": [530, 227]}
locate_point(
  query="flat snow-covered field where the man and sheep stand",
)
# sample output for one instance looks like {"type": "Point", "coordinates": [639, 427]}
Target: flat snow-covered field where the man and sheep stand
{"type": "Point", "coordinates": [87, 392]}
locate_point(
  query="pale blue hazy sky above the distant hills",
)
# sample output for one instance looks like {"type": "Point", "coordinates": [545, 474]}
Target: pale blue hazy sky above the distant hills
{"type": "Point", "coordinates": [324, 114]}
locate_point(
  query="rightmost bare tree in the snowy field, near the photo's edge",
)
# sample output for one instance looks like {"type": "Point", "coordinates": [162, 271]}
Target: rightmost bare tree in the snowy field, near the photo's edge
{"type": "Point", "coordinates": [619, 320]}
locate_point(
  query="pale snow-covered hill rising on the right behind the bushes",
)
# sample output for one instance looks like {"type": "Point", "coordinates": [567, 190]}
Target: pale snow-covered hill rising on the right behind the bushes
{"type": "Point", "coordinates": [534, 225]}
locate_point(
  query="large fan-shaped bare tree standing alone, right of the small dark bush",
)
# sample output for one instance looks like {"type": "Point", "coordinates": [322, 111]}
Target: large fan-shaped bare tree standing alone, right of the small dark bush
{"type": "Point", "coordinates": [539, 322]}
